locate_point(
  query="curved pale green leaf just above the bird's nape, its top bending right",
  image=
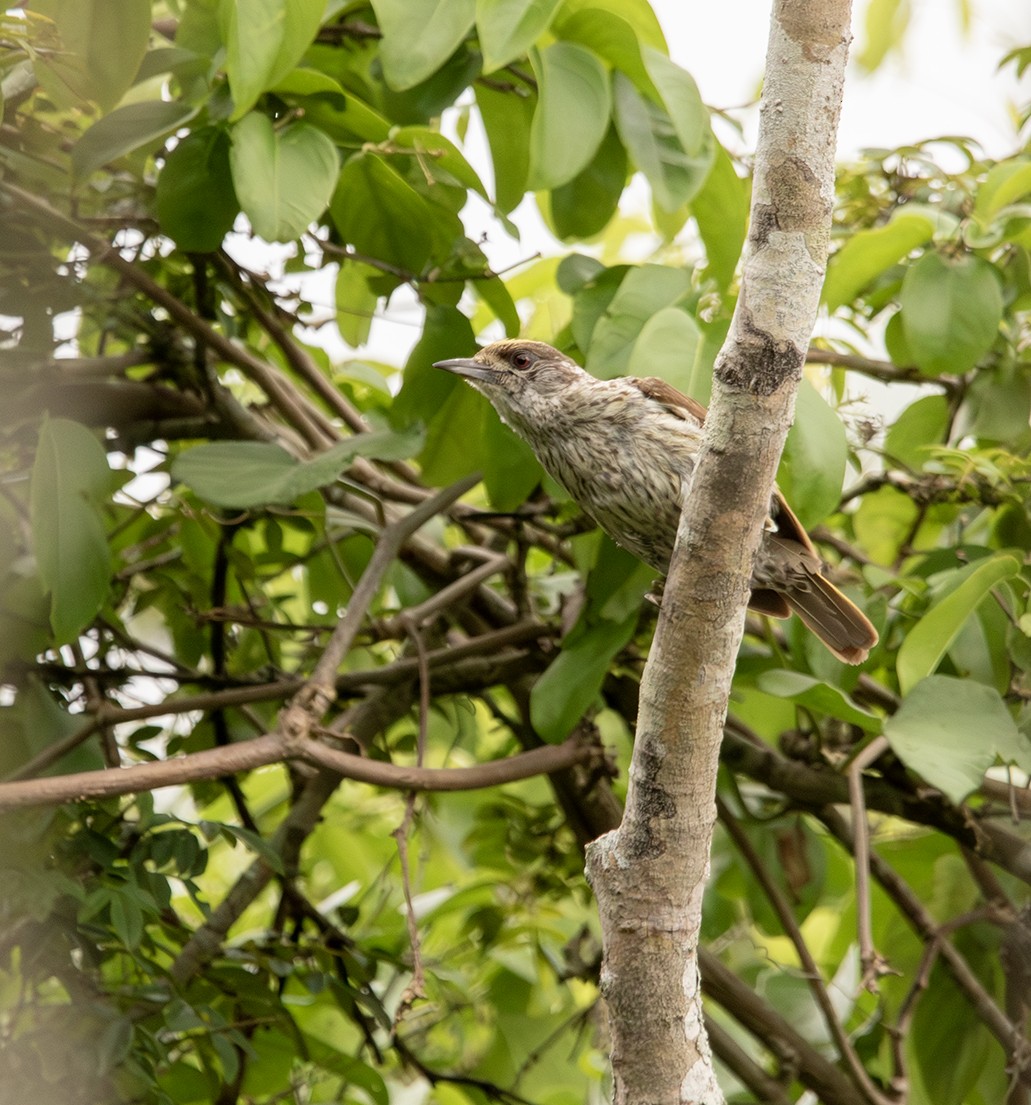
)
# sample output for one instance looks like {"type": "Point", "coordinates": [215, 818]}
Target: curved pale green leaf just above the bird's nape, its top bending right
{"type": "Point", "coordinates": [643, 293]}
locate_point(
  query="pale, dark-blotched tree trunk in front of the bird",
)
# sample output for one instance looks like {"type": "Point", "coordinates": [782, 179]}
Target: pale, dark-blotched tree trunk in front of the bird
{"type": "Point", "coordinates": [650, 875]}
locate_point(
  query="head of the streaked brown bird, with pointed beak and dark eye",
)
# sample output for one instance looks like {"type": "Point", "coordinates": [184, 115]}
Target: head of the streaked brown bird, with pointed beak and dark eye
{"type": "Point", "coordinates": [521, 378]}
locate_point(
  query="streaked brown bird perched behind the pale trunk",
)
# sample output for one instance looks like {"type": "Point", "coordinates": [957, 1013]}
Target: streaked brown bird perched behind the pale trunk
{"type": "Point", "coordinates": [625, 450]}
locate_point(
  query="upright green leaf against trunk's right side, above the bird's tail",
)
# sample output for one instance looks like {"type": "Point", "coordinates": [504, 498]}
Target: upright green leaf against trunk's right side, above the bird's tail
{"type": "Point", "coordinates": [813, 468]}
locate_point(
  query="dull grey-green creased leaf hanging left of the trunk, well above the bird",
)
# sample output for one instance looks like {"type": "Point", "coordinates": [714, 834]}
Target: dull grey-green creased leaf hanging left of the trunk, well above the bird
{"type": "Point", "coordinates": [651, 140]}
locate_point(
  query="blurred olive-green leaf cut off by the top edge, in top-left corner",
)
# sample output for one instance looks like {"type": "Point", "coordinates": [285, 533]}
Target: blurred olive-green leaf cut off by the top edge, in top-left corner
{"type": "Point", "coordinates": [104, 45]}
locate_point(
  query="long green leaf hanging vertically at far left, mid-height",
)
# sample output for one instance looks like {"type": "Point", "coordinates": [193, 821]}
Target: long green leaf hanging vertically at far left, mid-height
{"type": "Point", "coordinates": [70, 477]}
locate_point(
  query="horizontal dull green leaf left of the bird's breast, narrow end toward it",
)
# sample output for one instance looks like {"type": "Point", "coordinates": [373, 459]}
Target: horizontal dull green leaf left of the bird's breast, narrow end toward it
{"type": "Point", "coordinates": [245, 475]}
